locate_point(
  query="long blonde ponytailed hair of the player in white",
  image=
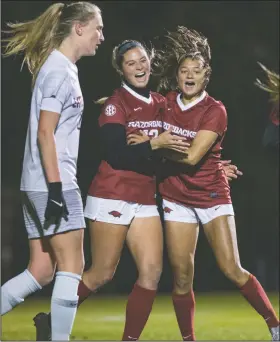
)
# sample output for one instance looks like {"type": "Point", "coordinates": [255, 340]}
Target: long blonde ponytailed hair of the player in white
{"type": "Point", "coordinates": [37, 38]}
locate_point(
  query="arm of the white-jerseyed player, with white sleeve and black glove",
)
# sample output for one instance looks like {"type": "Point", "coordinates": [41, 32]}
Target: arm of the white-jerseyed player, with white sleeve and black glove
{"type": "Point", "coordinates": [55, 91]}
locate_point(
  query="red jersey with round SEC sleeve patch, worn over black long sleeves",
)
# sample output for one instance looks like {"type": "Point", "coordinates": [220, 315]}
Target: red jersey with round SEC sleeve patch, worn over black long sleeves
{"type": "Point", "coordinates": [136, 113]}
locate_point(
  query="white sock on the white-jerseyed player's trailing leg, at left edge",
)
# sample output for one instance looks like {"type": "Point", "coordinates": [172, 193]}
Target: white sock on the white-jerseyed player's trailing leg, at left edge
{"type": "Point", "coordinates": [14, 291]}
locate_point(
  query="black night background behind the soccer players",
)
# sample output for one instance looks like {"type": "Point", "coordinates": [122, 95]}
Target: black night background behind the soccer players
{"type": "Point", "coordinates": [240, 34]}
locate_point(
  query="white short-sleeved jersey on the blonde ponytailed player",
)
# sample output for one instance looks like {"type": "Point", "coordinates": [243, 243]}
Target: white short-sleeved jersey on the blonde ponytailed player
{"type": "Point", "coordinates": [57, 89]}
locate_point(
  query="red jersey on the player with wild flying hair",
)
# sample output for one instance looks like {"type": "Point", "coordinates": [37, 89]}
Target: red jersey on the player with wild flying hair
{"type": "Point", "coordinates": [205, 184]}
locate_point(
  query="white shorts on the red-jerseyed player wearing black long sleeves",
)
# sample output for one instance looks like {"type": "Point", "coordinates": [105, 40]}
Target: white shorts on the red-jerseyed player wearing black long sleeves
{"type": "Point", "coordinates": [116, 211]}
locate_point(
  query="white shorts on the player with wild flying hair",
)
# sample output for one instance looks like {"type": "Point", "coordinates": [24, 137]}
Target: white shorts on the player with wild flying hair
{"type": "Point", "coordinates": [180, 213]}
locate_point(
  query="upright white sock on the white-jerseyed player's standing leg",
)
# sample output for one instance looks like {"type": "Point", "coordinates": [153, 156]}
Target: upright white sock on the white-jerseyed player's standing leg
{"type": "Point", "coordinates": [64, 305]}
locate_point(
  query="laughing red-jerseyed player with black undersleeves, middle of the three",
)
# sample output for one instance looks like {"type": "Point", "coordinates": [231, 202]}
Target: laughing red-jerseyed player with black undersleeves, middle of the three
{"type": "Point", "coordinates": [121, 199]}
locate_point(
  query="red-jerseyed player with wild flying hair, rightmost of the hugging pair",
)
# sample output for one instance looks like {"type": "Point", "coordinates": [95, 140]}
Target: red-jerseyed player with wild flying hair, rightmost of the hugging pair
{"type": "Point", "coordinates": [194, 187]}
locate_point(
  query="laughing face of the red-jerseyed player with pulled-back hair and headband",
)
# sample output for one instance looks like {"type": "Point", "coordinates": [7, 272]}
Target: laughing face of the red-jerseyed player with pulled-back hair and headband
{"type": "Point", "coordinates": [136, 67]}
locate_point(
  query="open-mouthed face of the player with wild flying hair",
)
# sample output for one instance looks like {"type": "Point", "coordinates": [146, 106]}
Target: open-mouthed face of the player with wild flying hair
{"type": "Point", "coordinates": [191, 78]}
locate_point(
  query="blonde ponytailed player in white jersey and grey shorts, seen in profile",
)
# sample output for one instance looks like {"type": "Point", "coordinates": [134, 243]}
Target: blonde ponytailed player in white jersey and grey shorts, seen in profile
{"type": "Point", "coordinates": [53, 212]}
